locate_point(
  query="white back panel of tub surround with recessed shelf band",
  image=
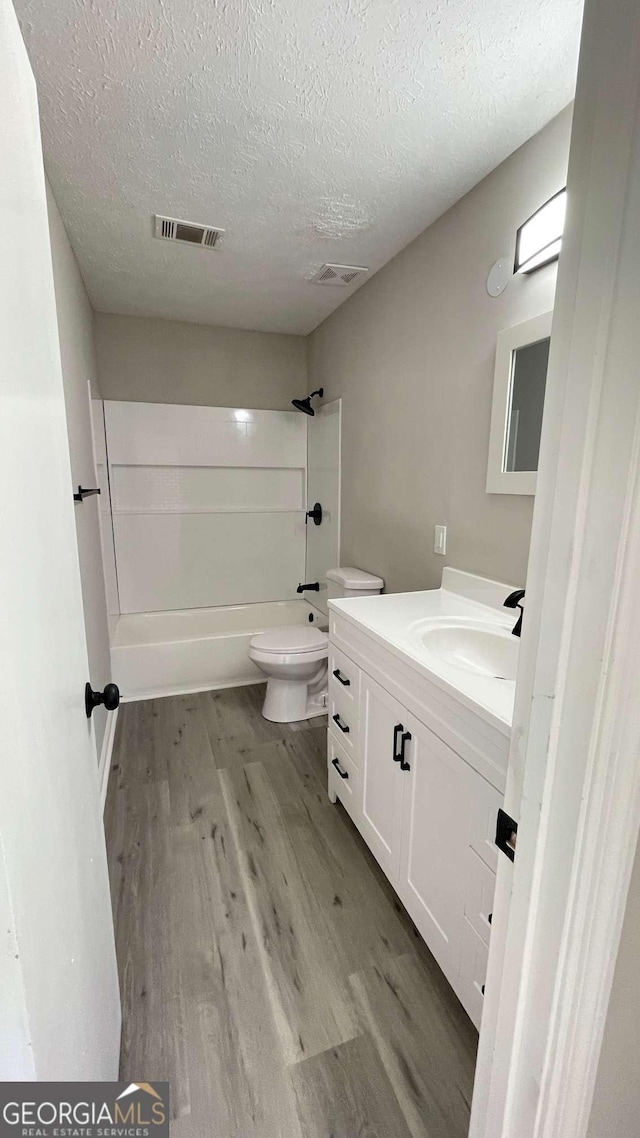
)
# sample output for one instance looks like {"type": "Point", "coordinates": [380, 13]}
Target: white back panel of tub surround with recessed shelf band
{"type": "Point", "coordinates": [208, 505]}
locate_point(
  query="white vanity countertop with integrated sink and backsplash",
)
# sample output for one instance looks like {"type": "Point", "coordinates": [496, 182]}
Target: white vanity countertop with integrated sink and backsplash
{"type": "Point", "coordinates": [464, 607]}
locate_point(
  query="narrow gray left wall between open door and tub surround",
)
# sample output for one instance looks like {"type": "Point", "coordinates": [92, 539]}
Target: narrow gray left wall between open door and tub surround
{"type": "Point", "coordinates": [78, 358]}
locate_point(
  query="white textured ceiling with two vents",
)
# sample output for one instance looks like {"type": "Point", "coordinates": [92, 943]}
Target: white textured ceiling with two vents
{"type": "Point", "coordinates": [310, 130]}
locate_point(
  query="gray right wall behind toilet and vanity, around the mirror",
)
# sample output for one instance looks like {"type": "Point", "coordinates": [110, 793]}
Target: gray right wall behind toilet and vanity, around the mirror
{"type": "Point", "coordinates": [413, 354]}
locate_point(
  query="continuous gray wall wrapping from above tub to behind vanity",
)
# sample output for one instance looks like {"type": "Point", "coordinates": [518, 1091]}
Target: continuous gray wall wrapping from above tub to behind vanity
{"type": "Point", "coordinates": [412, 354]}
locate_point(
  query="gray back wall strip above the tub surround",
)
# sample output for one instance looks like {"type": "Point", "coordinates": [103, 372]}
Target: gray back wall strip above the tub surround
{"type": "Point", "coordinates": [169, 361]}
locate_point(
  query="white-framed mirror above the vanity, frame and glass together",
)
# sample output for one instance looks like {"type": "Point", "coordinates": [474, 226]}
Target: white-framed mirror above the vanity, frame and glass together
{"type": "Point", "coordinates": [520, 381]}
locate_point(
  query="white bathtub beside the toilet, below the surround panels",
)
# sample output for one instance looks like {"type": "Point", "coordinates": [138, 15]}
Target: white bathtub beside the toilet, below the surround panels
{"type": "Point", "coordinates": [167, 654]}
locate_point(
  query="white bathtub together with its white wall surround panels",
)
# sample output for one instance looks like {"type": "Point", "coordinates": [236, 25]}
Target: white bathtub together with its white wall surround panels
{"type": "Point", "coordinates": [206, 535]}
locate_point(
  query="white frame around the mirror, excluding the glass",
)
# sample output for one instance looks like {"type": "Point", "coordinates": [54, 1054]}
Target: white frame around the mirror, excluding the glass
{"type": "Point", "coordinates": [510, 341]}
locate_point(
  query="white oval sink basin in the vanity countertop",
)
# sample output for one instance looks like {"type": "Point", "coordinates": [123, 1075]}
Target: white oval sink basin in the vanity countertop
{"type": "Point", "coordinates": [483, 649]}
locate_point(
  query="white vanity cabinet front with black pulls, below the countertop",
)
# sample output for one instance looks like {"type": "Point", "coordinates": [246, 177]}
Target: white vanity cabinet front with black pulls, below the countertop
{"type": "Point", "coordinates": [424, 784]}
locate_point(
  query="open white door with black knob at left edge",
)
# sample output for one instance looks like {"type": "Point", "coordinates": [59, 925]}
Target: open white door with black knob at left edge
{"type": "Point", "coordinates": [61, 1011]}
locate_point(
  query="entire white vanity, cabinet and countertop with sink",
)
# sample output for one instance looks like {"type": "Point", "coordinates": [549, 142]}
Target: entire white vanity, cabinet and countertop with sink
{"type": "Point", "coordinates": [420, 728]}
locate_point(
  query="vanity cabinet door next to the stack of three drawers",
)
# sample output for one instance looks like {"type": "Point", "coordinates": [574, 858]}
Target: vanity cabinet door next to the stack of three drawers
{"type": "Point", "coordinates": [383, 782]}
